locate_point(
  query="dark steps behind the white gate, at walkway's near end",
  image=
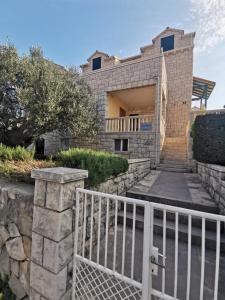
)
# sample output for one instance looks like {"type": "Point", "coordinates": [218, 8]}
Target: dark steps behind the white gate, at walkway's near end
{"type": "Point", "coordinates": [170, 220]}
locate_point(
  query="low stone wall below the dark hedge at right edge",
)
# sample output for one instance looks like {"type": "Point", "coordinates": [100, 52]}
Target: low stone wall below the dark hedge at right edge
{"type": "Point", "coordinates": [213, 179]}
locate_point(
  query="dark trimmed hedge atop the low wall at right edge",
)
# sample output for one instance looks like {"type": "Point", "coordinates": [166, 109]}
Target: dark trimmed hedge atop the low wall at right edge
{"type": "Point", "coordinates": [208, 134]}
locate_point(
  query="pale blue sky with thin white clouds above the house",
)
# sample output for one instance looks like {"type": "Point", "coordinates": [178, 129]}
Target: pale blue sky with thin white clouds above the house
{"type": "Point", "coordinates": [69, 31]}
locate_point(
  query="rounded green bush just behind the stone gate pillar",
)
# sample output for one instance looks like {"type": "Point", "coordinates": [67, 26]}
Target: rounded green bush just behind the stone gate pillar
{"type": "Point", "coordinates": [101, 165]}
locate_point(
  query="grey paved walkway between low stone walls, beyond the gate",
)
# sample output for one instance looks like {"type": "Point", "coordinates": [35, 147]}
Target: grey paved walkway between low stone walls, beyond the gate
{"type": "Point", "coordinates": [182, 187]}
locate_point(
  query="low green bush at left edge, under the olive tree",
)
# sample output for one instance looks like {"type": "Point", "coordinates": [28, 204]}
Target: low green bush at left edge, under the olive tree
{"type": "Point", "coordinates": [17, 153]}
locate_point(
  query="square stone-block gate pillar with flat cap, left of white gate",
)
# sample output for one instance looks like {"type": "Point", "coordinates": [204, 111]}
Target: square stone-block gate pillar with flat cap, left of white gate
{"type": "Point", "coordinates": [53, 231]}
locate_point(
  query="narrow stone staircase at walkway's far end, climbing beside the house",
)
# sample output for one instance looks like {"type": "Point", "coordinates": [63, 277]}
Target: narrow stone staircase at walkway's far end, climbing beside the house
{"type": "Point", "coordinates": [174, 155]}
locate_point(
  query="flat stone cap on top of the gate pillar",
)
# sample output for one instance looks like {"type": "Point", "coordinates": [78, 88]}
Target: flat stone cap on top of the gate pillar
{"type": "Point", "coordinates": [60, 174]}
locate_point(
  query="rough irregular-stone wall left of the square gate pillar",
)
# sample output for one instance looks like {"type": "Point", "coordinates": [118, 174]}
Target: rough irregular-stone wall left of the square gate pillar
{"type": "Point", "coordinates": [16, 217]}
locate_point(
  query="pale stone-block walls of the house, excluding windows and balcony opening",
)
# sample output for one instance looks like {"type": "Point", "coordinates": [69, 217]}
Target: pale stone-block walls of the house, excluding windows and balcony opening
{"type": "Point", "coordinates": [171, 75]}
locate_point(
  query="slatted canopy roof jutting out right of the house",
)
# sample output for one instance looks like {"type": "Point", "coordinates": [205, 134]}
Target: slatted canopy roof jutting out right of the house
{"type": "Point", "coordinates": [202, 88]}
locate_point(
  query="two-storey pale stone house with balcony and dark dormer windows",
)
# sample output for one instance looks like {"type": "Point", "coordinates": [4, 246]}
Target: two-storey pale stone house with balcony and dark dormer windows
{"type": "Point", "coordinates": [145, 100]}
